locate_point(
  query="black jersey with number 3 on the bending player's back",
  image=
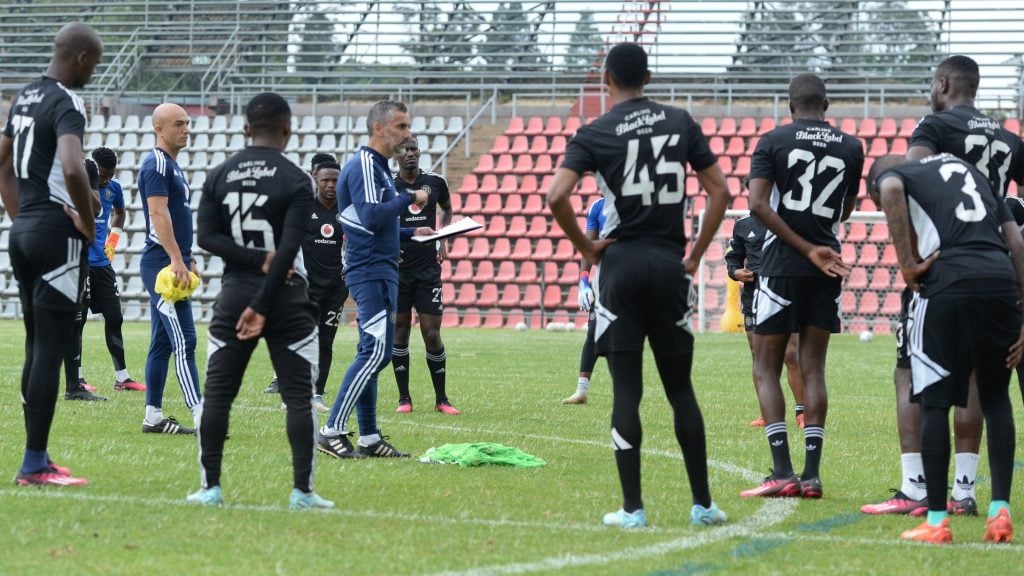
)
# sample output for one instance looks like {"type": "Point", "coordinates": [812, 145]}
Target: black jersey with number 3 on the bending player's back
{"type": "Point", "coordinates": [953, 211]}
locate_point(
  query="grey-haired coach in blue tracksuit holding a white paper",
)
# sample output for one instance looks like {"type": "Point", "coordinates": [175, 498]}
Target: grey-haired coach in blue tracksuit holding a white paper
{"type": "Point", "coordinates": [369, 209]}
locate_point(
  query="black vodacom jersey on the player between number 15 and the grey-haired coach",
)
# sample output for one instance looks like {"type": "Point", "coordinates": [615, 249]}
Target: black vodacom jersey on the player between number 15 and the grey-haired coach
{"type": "Point", "coordinates": [322, 248]}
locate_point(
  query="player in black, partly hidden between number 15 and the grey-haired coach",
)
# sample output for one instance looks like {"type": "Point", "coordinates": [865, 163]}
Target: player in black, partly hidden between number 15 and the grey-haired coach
{"type": "Point", "coordinates": [322, 254]}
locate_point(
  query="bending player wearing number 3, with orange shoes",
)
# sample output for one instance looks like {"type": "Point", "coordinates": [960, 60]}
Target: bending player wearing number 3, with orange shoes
{"type": "Point", "coordinates": [952, 235]}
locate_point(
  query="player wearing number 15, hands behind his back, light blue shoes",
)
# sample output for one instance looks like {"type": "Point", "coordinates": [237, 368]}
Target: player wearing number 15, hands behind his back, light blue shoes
{"type": "Point", "coordinates": [254, 215]}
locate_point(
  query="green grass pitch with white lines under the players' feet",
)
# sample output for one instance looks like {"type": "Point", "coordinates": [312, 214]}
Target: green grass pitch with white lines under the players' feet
{"type": "Point", "coordinates": [402, 517]}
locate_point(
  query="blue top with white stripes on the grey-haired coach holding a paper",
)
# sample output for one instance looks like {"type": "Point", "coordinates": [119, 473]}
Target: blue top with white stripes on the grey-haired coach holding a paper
{"type": "Point", "coordinates": [369, 209]}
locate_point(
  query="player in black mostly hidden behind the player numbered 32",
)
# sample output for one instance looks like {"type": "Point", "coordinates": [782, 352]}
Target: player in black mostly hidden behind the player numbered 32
{"type": "Point", "coordinates": [743, 264]}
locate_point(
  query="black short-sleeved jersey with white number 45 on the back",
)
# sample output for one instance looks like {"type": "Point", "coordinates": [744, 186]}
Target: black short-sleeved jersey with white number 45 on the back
{"type": "Point", "coordinates": [638, 153]}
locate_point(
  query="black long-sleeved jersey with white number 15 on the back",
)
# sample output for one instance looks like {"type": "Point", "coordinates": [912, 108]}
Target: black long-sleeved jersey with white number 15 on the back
{"type": "Point", "coordinates": [257, 201]}
